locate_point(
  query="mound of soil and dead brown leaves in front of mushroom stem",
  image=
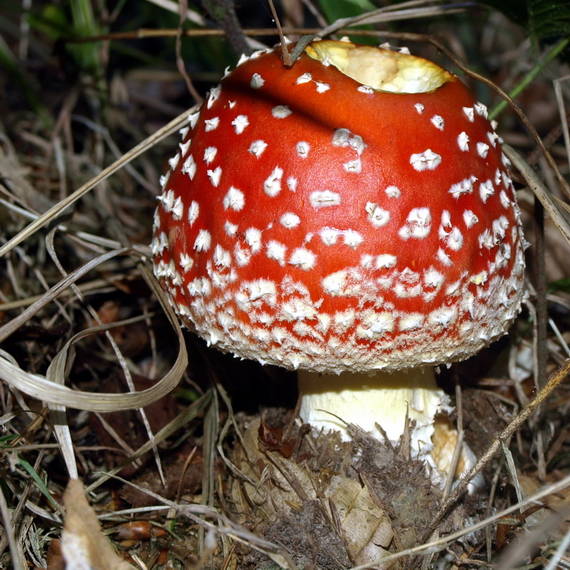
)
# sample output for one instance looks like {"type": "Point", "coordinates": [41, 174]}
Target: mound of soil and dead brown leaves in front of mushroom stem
{"type": "Point", "coordinates": [356, 500]}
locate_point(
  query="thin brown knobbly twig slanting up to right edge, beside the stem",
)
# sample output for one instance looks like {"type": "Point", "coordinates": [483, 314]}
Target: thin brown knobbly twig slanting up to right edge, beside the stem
{"type": "Point", "coordinates": [555, 380]}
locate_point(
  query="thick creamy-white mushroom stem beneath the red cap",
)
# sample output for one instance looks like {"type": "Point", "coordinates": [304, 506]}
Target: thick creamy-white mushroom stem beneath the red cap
{"type": "Point", "coordinates": [331, 402]}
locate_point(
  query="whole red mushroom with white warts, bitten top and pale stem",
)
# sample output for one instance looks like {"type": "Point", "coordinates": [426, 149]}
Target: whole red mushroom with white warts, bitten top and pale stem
{"type": "Point", "coordinates": [350, 217]}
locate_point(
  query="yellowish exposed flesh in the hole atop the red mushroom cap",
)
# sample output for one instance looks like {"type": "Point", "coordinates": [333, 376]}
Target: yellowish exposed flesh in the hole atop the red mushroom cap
{"type": "Point", "coordinates": [379, 68]}
